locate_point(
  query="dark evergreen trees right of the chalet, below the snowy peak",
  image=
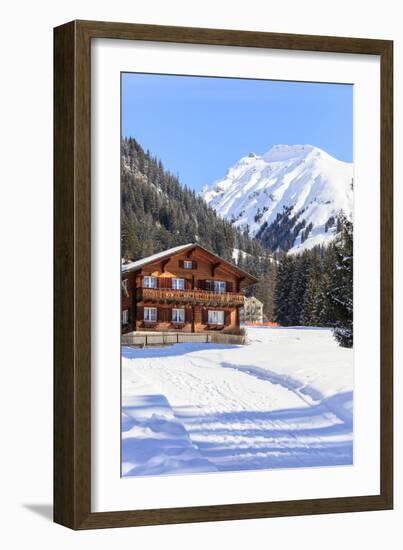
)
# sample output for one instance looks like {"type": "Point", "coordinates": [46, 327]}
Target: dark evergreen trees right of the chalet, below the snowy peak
{"type": "Point", "coordinates": [315, 287]}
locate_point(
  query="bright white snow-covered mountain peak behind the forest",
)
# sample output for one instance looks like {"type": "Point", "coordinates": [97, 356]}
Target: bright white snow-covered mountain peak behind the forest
{"type": "Point", "coordinates": [300, 181]}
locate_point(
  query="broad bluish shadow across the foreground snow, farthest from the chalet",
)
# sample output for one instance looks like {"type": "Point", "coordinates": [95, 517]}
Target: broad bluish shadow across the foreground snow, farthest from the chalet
{"type": "Point", "coordinates": [185, 440]}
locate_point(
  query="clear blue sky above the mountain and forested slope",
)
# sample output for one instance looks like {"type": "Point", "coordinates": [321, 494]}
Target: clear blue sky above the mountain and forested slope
{"type": "Point", "coordinates": [200, 126]}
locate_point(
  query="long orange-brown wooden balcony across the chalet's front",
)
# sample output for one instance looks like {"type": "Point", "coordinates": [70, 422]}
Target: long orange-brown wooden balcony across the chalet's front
{"type": "Point", "coordinates": [200, 297]}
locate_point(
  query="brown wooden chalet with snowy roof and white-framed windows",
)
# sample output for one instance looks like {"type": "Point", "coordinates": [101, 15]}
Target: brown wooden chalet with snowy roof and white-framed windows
{"type": "Point", "coordinates": [186, 289]}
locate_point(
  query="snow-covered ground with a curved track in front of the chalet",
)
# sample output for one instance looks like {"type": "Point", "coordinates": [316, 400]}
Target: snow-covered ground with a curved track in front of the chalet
{"type": "Point", "coordinates": [283, 401]}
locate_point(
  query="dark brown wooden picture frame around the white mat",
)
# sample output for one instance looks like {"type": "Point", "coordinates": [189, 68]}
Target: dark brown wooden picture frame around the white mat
{"type": "Point", "coordinates": [72, 271]}
